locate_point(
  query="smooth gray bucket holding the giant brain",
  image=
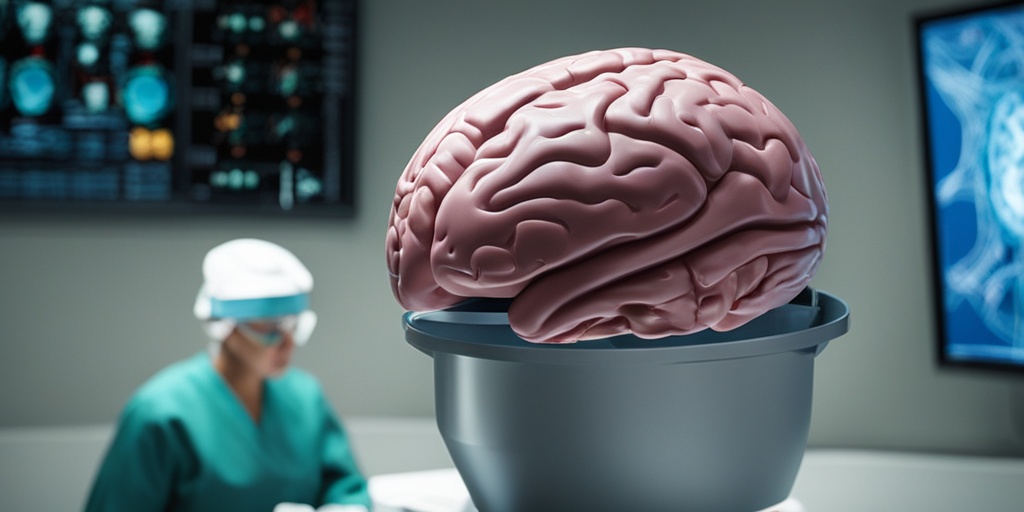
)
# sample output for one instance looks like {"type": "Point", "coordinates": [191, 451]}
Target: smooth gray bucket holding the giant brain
{"type": "Point", "coordinates": [705, 422]}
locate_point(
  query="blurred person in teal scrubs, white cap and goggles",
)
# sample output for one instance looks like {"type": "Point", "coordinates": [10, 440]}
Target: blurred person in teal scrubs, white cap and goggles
{"type": "Point", "coordinates": [236, 428]}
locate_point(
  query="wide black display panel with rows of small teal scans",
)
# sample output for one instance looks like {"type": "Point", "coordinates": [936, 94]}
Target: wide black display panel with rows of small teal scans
{"type": "Point", "coordinates": [183, 106]}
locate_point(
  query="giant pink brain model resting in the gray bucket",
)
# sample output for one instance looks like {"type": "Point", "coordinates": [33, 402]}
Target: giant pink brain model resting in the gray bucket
{"type": "Point", "coordinates": [628, 191]}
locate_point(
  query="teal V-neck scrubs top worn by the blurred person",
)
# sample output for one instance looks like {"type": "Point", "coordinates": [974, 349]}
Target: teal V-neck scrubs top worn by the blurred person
{"type": "Point", "coordinates": [186, 443]}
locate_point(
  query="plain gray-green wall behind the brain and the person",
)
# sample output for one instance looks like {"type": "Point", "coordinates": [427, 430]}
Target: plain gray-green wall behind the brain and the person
{"type": "Point", "coordinates": [91, 307]}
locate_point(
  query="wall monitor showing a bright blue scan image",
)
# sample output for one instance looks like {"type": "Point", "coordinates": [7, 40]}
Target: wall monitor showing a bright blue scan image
{"type": "Point", "coordinates": [972, 91]}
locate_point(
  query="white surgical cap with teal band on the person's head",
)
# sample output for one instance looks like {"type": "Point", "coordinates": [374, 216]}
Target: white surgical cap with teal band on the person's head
{"type": "Point", "coordinates": [248, 279]}
